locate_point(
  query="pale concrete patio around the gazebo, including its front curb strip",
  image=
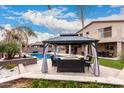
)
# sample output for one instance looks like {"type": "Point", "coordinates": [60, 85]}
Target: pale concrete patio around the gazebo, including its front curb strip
{"type": "Point", "coordinates": [107, 76]}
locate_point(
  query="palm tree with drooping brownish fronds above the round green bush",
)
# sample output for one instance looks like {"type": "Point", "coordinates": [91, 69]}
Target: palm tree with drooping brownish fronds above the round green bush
{"type": "Point", "coordinates": [20, 33]}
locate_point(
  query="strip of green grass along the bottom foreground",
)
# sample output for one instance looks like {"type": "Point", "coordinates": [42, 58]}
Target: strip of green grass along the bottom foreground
{"type": "Point", "coordinates": [69, 84]}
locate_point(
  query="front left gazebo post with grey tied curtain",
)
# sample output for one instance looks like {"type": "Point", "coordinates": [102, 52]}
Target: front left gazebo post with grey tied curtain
{"type": "Point", "coordinates": [44, 63]}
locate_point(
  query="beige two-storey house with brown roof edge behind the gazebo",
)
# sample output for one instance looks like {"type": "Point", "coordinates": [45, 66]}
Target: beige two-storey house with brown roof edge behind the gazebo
{"type": "Point", "coordinates": [110, 34]}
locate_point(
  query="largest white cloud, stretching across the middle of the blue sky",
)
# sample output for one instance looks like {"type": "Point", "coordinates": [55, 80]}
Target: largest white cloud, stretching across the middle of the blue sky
{"type": "Point", "coordinates": [52, 19]}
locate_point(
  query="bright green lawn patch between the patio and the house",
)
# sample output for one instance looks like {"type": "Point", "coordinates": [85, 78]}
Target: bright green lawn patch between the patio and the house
{"type": "Point", "coordinates": [111, 63]}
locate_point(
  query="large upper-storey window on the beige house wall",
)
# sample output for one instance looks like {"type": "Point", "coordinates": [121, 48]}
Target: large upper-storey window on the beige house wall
{"type": "Point", "coordinates": [105, 32]}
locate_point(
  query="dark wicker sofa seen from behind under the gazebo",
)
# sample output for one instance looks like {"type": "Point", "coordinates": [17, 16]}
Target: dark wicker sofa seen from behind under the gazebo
{"type": "Point", "coordinates": [70, 65]}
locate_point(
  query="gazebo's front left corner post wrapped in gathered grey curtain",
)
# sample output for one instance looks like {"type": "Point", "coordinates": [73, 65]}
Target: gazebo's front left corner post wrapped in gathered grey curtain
{"type": "Point", "coordinates": [44, 68]}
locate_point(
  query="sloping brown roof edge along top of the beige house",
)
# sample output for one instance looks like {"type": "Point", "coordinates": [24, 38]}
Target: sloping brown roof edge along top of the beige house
{"type": "Point", "coordinates": [102, 21]}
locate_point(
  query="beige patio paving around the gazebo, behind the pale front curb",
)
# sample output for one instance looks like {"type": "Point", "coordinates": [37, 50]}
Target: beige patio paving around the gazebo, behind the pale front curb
{"type": "Point", "coordinates": [105, 71]}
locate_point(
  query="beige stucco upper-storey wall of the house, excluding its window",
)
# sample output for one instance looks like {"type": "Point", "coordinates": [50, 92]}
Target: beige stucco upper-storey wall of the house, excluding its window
{"type": "Point", "coordinates": [117, 30]}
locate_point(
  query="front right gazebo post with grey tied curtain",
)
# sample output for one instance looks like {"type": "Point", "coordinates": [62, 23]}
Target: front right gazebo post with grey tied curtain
{"type": "Point", "coordinates": [96, 69]}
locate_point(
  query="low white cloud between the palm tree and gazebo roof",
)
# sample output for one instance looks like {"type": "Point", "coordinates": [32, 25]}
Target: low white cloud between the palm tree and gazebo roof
{"type": "Point", "coordinates": [40, 37]}
